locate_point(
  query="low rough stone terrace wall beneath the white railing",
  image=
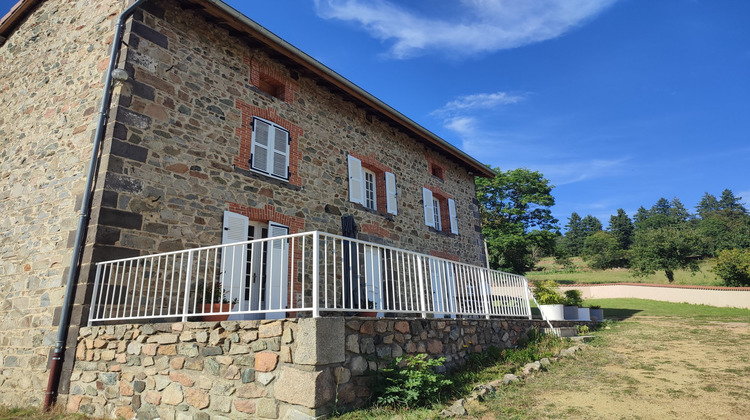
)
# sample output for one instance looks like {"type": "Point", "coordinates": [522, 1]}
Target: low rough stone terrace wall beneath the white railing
{"type": "Point", "coordinates": [265, 369]}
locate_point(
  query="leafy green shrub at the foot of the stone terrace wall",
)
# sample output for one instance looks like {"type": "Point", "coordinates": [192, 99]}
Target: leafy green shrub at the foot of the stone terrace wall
{"type": "Point", "coordinates": [411, 383]}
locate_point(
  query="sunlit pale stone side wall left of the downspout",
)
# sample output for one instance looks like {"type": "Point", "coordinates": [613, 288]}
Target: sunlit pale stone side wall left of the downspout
{"type": "Point", "coordinates": [51, 74]}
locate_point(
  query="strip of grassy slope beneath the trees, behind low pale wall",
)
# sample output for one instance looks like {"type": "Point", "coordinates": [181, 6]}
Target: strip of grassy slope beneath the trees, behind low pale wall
{"type": "Point", "coordinates": [580, 273]}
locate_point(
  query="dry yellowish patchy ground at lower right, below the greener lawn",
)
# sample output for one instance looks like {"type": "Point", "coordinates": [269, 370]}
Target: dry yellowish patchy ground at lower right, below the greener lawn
{"type": "Point", "coordinates": [647, 368]}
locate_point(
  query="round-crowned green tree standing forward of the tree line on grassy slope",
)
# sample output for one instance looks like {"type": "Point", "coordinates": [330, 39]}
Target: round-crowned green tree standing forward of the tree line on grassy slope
{"type": "Point", "coordinates": [665, 248]}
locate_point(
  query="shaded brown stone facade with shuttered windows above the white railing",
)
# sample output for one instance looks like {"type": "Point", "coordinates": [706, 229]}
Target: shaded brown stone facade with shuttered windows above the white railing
{"type": "Point", "coordinates": [178, 154]}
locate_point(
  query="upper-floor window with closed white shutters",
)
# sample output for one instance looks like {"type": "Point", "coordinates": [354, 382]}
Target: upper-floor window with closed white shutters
{"type": "Point", "coordinates": [270, 149]}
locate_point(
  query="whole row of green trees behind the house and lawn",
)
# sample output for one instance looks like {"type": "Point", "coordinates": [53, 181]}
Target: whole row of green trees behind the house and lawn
{"type": "Point", "coordinates": [518, 227]}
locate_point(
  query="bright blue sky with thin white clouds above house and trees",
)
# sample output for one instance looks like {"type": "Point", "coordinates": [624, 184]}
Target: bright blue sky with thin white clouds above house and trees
{"type": "Point", "coordinates": [617, 102]}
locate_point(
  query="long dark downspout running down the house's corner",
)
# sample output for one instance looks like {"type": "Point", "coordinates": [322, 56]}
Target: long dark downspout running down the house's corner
{"type": "Point", "coordinates": [62, 333]}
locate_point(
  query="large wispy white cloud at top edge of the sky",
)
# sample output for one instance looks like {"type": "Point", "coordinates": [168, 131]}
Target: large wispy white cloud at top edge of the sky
{"type": "Point", "coordinates": [473, 26]}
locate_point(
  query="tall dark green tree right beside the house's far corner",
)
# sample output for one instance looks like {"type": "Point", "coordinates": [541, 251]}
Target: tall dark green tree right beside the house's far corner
{"type": "Point", "coordinates": [516, 217]}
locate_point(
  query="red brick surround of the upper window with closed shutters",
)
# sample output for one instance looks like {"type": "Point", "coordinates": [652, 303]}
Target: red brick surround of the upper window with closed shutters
{"type": "Point", "coordinates": [245, 133]}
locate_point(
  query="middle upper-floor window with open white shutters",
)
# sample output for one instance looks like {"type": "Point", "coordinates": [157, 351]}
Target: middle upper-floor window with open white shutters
{"type": "Point", "coordinates": [366, 184]}
